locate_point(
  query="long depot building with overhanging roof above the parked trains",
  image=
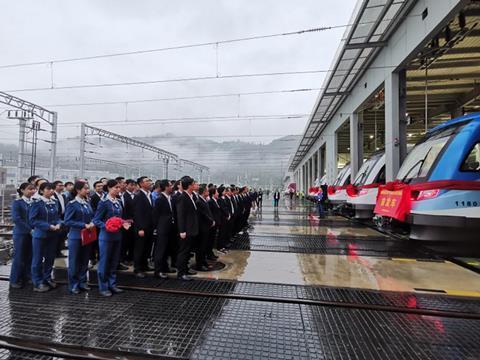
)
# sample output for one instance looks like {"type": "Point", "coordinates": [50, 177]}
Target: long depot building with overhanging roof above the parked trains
{"type": "Point", "coordinates": [402, 68]}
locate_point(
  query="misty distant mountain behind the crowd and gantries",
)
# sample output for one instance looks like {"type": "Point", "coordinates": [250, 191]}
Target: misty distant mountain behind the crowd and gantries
{"type": "Point", "coordinates": [230, 161]}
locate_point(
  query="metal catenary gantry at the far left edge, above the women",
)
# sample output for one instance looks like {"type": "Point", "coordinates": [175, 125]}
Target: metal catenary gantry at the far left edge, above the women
{"type": "Point", "coordinates": [36, 115]}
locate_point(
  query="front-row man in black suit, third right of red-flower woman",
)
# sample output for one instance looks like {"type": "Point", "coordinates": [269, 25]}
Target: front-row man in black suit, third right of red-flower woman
{"type": "Point", "coordinates": [187, 222]}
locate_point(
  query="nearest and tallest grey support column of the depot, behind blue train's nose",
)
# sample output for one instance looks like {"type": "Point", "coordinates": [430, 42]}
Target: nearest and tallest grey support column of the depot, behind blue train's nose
{"type": "Point", "coordinates": [392, 125]}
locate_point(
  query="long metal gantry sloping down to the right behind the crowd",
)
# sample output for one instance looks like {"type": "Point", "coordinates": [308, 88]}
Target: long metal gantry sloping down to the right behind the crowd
{"type": "Point", "coordinates": [166, 156]}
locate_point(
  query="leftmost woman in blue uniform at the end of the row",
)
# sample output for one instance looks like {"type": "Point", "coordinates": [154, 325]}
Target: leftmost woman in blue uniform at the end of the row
{"type": "Point", "coordinates": [22, 237]}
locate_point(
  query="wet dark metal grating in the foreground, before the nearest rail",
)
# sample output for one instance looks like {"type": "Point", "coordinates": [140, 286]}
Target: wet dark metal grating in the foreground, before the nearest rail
{"type": "Point", "coordinates": [204, 328]}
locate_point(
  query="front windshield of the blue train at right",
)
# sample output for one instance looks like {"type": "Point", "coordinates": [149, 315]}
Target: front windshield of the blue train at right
{"type": "Point", "coordinates": [419, 162]}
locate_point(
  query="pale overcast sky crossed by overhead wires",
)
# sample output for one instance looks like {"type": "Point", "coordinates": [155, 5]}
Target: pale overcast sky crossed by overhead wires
{"type": "Point", "coordinates": [56, 29]}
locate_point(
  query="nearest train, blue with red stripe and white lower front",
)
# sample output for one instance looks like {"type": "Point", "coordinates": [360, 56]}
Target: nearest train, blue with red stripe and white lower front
{"type": "Point", "coordinates": [443, 175]}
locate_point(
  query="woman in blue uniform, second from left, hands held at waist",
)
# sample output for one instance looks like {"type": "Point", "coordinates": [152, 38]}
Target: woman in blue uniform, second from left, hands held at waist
{"type": "Point", "coordinates": [45, 220]}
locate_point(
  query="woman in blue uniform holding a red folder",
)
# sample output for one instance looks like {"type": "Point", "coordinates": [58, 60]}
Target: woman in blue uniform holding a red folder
{"type": "Point", "coordinates": [78, 216]}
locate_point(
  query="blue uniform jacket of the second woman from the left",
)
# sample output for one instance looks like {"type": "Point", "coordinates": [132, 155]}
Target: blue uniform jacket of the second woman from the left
{"type": "Point", "coordinates": [41, 216]}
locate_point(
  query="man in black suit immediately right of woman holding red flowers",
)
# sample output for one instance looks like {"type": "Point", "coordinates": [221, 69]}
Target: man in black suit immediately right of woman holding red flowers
{"type": "Point", "coordinates": [143, 223]}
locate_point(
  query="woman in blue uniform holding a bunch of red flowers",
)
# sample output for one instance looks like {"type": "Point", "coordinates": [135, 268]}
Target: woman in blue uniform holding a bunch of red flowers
{"type": "Point", "coordinates": [109, 242]}
